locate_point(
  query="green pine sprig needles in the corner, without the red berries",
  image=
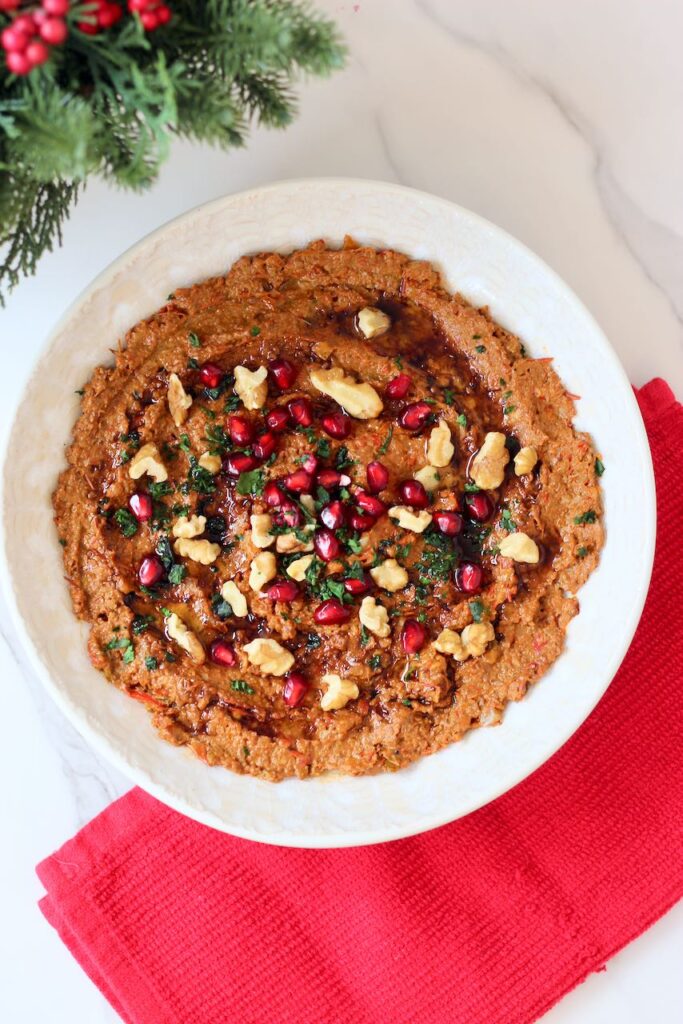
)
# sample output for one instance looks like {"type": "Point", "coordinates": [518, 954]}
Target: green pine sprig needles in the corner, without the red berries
{"type": "Point", "coordinates": [111, 104]}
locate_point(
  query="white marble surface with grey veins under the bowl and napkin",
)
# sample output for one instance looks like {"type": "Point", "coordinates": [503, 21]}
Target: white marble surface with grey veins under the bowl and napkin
{"type": "Point", "coordinates": [561, 122]}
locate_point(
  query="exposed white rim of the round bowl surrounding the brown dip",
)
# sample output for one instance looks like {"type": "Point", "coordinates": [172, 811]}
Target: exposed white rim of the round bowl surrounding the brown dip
{"type": "Point", "coordinates": [490, 269]}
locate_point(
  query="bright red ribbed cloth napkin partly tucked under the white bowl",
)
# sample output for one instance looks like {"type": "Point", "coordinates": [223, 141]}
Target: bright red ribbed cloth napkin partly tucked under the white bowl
{"type": "Point", "coordinates": [492, 919]}
